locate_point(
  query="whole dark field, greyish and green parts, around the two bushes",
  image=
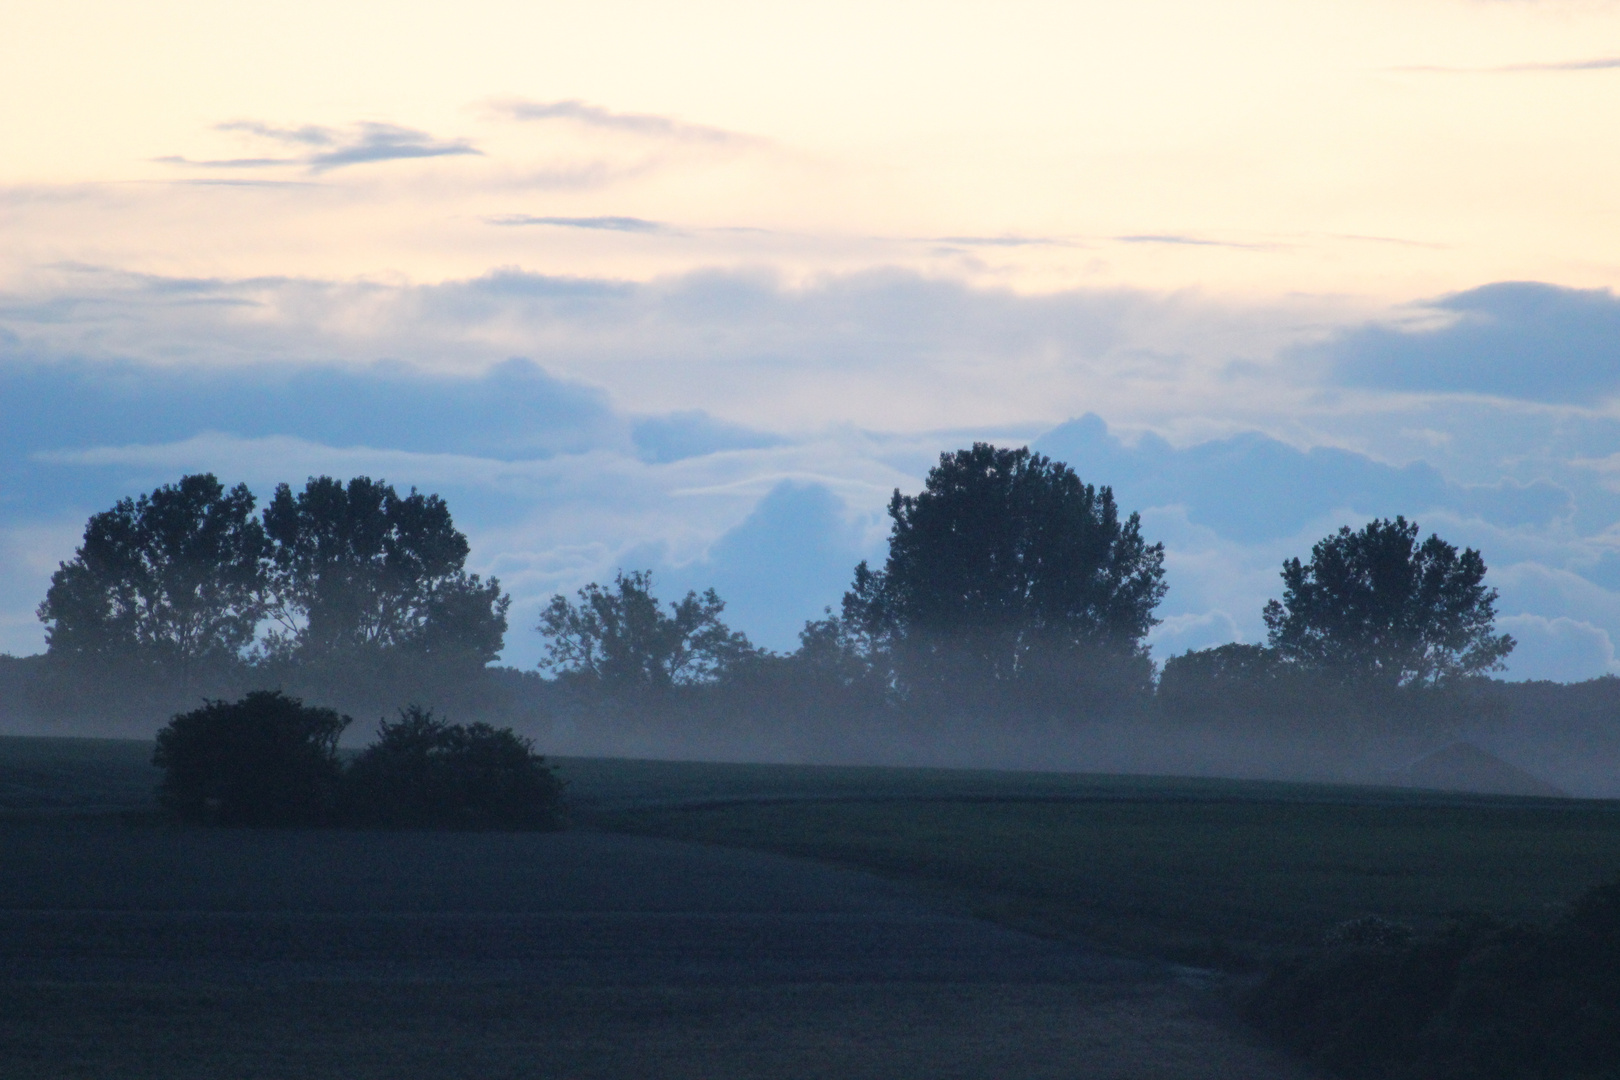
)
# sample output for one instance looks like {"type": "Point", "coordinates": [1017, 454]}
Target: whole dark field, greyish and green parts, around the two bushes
{"type": "Point", "coordinates": [135, 950]}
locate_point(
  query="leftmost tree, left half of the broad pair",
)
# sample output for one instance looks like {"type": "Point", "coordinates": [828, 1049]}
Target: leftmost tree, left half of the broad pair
{"type": "Point", "coordinates": [173, 580]}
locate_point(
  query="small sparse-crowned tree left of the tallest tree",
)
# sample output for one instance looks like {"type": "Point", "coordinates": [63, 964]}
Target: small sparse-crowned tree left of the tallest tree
{"type": "Point", "coordinates": [623, 640]}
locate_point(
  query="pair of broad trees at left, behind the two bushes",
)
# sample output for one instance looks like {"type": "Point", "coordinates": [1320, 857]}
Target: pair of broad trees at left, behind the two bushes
{"type": "Point", "coordinates": [187, 587]}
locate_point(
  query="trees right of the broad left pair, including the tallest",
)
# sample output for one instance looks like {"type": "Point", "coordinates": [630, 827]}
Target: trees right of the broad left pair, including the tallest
{"type": "Point", "coordinates": [1012, 589]}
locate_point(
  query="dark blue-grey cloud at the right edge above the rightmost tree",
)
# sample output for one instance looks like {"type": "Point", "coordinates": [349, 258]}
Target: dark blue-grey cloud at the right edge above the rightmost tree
{"type": "Point", "coordinates": [1516, 339]}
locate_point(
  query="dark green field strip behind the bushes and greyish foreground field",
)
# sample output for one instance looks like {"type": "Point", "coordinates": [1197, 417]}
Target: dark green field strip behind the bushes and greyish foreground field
{"type": "Point", "coordinates": [1195, 870]}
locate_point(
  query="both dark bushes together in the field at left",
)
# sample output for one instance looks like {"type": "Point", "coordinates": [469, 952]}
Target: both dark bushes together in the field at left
{"type": "Point", "coordinates": [270, 760]}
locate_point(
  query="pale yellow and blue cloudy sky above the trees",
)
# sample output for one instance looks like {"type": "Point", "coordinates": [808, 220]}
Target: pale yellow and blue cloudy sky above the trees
{"type": "Point", "coordinates": [694, 287]}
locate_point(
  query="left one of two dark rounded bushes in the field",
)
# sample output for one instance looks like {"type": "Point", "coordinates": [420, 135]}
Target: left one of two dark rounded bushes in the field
{"type": "Point", "coordinates": [266, 760]}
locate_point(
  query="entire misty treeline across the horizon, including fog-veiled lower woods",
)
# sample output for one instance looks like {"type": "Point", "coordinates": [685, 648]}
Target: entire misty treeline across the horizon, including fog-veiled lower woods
{"type": "Point", "coordinates": [1010, 614]}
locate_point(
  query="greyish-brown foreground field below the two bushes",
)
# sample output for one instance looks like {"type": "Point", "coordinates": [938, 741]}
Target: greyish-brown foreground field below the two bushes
{"type": "Point", "coordinates": [161, 953]}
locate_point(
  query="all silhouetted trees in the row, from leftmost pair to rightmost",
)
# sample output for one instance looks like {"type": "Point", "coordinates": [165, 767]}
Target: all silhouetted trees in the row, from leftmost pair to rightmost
{"type": "Point", "coordinates": [1012, 589]}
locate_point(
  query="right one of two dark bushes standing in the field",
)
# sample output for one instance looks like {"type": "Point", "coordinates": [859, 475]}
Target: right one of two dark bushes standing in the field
{"type": "Point", "coordinates": [425, 773]}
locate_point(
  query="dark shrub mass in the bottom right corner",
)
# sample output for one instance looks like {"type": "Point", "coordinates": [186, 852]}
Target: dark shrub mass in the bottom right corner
{"type": "Point", "coordinates": [1475, 1001]}
